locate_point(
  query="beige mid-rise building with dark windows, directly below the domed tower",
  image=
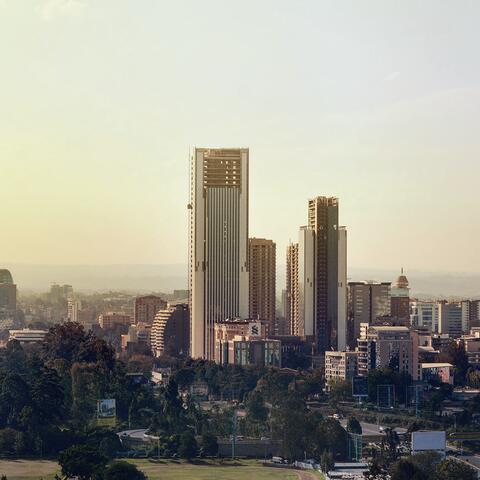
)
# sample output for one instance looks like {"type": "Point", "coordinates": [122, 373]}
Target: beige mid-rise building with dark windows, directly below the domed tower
{"type": "Point", "coordinates": [383, 346]}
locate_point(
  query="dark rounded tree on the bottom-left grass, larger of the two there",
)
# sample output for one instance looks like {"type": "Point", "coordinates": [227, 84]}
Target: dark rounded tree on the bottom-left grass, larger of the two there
{"type": "Point", "coordinates": [82, 461]}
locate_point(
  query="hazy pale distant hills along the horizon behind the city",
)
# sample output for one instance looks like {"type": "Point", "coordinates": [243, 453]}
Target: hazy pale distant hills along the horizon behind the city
{"type": "Point", "coordinates": [166, 278]}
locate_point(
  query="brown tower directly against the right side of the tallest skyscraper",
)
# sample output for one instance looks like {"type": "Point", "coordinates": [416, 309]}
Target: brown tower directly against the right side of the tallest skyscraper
{"type": "Point", "coordinates": [262, 271]}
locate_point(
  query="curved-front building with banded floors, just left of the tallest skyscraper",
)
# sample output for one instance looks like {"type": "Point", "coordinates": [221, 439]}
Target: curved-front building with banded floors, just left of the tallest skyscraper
{"type": "Point", "coordinates": [171, 331]}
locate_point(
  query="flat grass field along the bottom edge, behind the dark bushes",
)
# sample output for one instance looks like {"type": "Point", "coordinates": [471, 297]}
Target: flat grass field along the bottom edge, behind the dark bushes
{"type": "Point", "coordinates": [163, 470]}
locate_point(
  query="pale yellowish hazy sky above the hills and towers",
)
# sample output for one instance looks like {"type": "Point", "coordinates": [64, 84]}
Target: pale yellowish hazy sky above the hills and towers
{"type": "Point", "coordinates": [376, 102]}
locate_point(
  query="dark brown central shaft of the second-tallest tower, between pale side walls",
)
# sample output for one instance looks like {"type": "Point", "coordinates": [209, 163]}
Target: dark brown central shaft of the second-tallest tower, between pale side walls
{"type": "Point", "coordinates": [323, 220]}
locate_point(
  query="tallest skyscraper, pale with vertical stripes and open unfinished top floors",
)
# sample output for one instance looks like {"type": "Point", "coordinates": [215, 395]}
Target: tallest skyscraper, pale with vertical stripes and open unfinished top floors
{"type": "Point", "coordinates": [218, 242]}
